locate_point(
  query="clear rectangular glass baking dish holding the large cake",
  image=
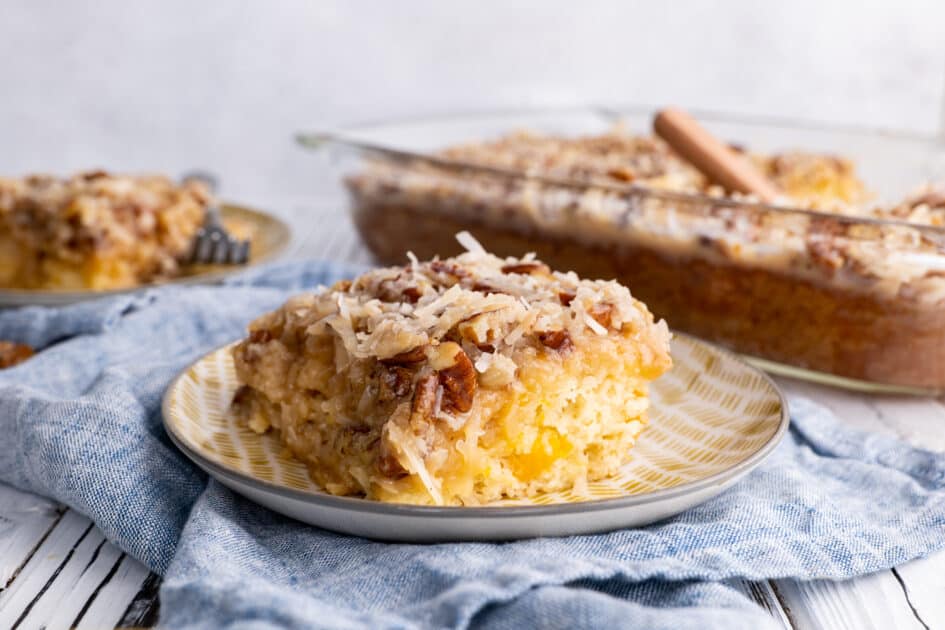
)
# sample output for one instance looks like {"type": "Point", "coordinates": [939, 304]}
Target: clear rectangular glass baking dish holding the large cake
{"type": "Point", "coordinates": [853, 301]}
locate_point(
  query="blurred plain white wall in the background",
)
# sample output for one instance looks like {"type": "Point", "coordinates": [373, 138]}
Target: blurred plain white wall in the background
{"type": "Point", "coordinates": [173, 84]}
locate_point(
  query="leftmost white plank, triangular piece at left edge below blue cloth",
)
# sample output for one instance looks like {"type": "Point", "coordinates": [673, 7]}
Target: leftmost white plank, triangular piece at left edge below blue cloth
{"type": "Point", "coordinates": [24, 520]}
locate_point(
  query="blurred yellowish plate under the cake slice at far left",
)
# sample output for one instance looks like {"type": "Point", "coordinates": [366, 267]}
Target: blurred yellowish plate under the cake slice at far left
{"type": "Point", "coordinates": [269, 235]}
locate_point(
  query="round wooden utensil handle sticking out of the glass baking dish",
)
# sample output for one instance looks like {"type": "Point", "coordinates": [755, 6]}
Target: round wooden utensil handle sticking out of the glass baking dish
{"type": "Point", "coordinates": [713, 158]}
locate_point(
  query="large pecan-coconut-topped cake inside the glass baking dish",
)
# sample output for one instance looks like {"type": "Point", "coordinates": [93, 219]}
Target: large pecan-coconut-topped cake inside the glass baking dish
{"type": "Point", "coordinates": [828, 281]}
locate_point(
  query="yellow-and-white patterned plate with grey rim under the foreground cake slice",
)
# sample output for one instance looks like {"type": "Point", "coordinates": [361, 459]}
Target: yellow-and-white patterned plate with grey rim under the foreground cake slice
{"type": "Point", "coordinates": [713, 419]}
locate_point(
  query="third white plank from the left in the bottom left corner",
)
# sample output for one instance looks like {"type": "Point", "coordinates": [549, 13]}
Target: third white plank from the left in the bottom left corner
{"type": "Point", "coordinates": [67, 594]}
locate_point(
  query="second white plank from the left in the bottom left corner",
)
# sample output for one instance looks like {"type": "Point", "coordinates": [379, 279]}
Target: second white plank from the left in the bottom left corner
{"type": "Point", "coordinates": [42, 566]}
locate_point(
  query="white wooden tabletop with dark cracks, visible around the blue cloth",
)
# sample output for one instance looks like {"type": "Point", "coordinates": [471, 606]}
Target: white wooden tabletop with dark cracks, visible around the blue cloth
{"type": "Point", "coordinates": [58, 571]}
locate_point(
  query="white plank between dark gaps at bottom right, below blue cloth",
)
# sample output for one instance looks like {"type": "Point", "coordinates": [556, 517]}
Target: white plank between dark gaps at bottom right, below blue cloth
{"type": "Point", "coordinates": [872, 602]}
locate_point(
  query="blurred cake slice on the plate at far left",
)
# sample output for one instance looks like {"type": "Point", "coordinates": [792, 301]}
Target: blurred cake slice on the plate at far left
{"type": "Point", "coordinates": [95, 230]}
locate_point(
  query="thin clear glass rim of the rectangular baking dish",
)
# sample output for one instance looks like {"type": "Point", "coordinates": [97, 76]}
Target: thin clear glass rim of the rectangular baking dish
{"type": "Point", "coordinates": [318, 140]}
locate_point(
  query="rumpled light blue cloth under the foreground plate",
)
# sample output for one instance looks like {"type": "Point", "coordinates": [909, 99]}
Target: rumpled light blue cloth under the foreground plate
{"type": "Point", "coordinates": [81, 423]}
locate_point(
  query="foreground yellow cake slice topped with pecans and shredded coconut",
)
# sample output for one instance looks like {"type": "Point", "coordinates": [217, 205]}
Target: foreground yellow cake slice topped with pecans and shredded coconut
{"type": "Point", "coordinates": [455, 382]}
